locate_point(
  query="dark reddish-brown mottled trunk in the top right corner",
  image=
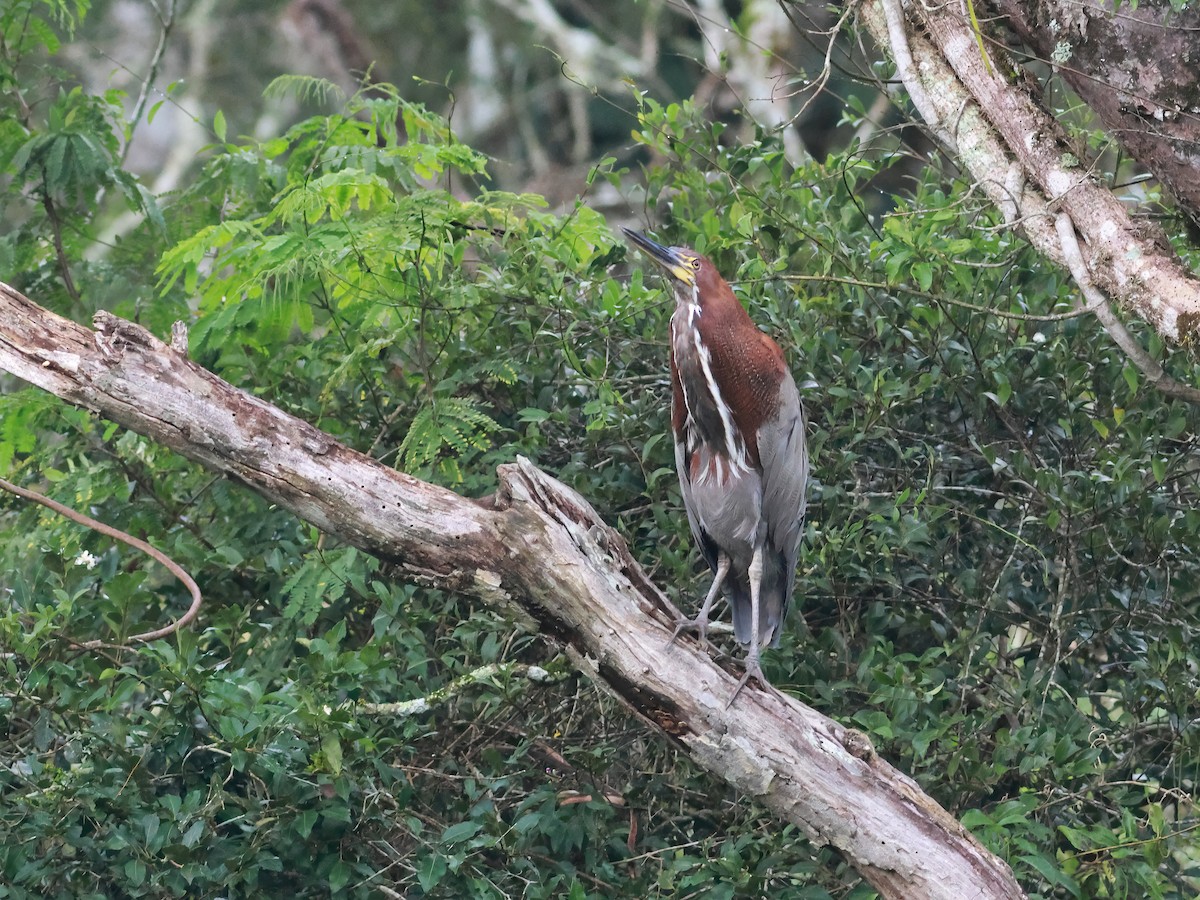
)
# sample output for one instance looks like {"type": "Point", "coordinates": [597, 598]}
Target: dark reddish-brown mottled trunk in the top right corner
{"type": "Point", "coordinates": [1139, 69]}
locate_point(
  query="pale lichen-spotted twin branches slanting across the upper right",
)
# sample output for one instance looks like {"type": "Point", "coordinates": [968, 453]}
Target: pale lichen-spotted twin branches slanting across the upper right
{"type": "Point", "coordinates": [1022, 158]}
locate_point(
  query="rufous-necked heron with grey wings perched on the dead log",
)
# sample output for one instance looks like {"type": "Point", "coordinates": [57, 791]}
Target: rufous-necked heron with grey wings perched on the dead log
{"type": "Point", "coordinates": [740, 451]}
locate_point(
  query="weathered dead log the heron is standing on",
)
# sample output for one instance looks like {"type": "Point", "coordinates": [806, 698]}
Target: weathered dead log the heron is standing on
{"type": "Point", "coordinates": [541, 551]}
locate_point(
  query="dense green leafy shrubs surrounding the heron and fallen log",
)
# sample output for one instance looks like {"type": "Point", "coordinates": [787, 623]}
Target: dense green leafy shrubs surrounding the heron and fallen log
{"type": "Point", "coordinates": [999, 583]}
